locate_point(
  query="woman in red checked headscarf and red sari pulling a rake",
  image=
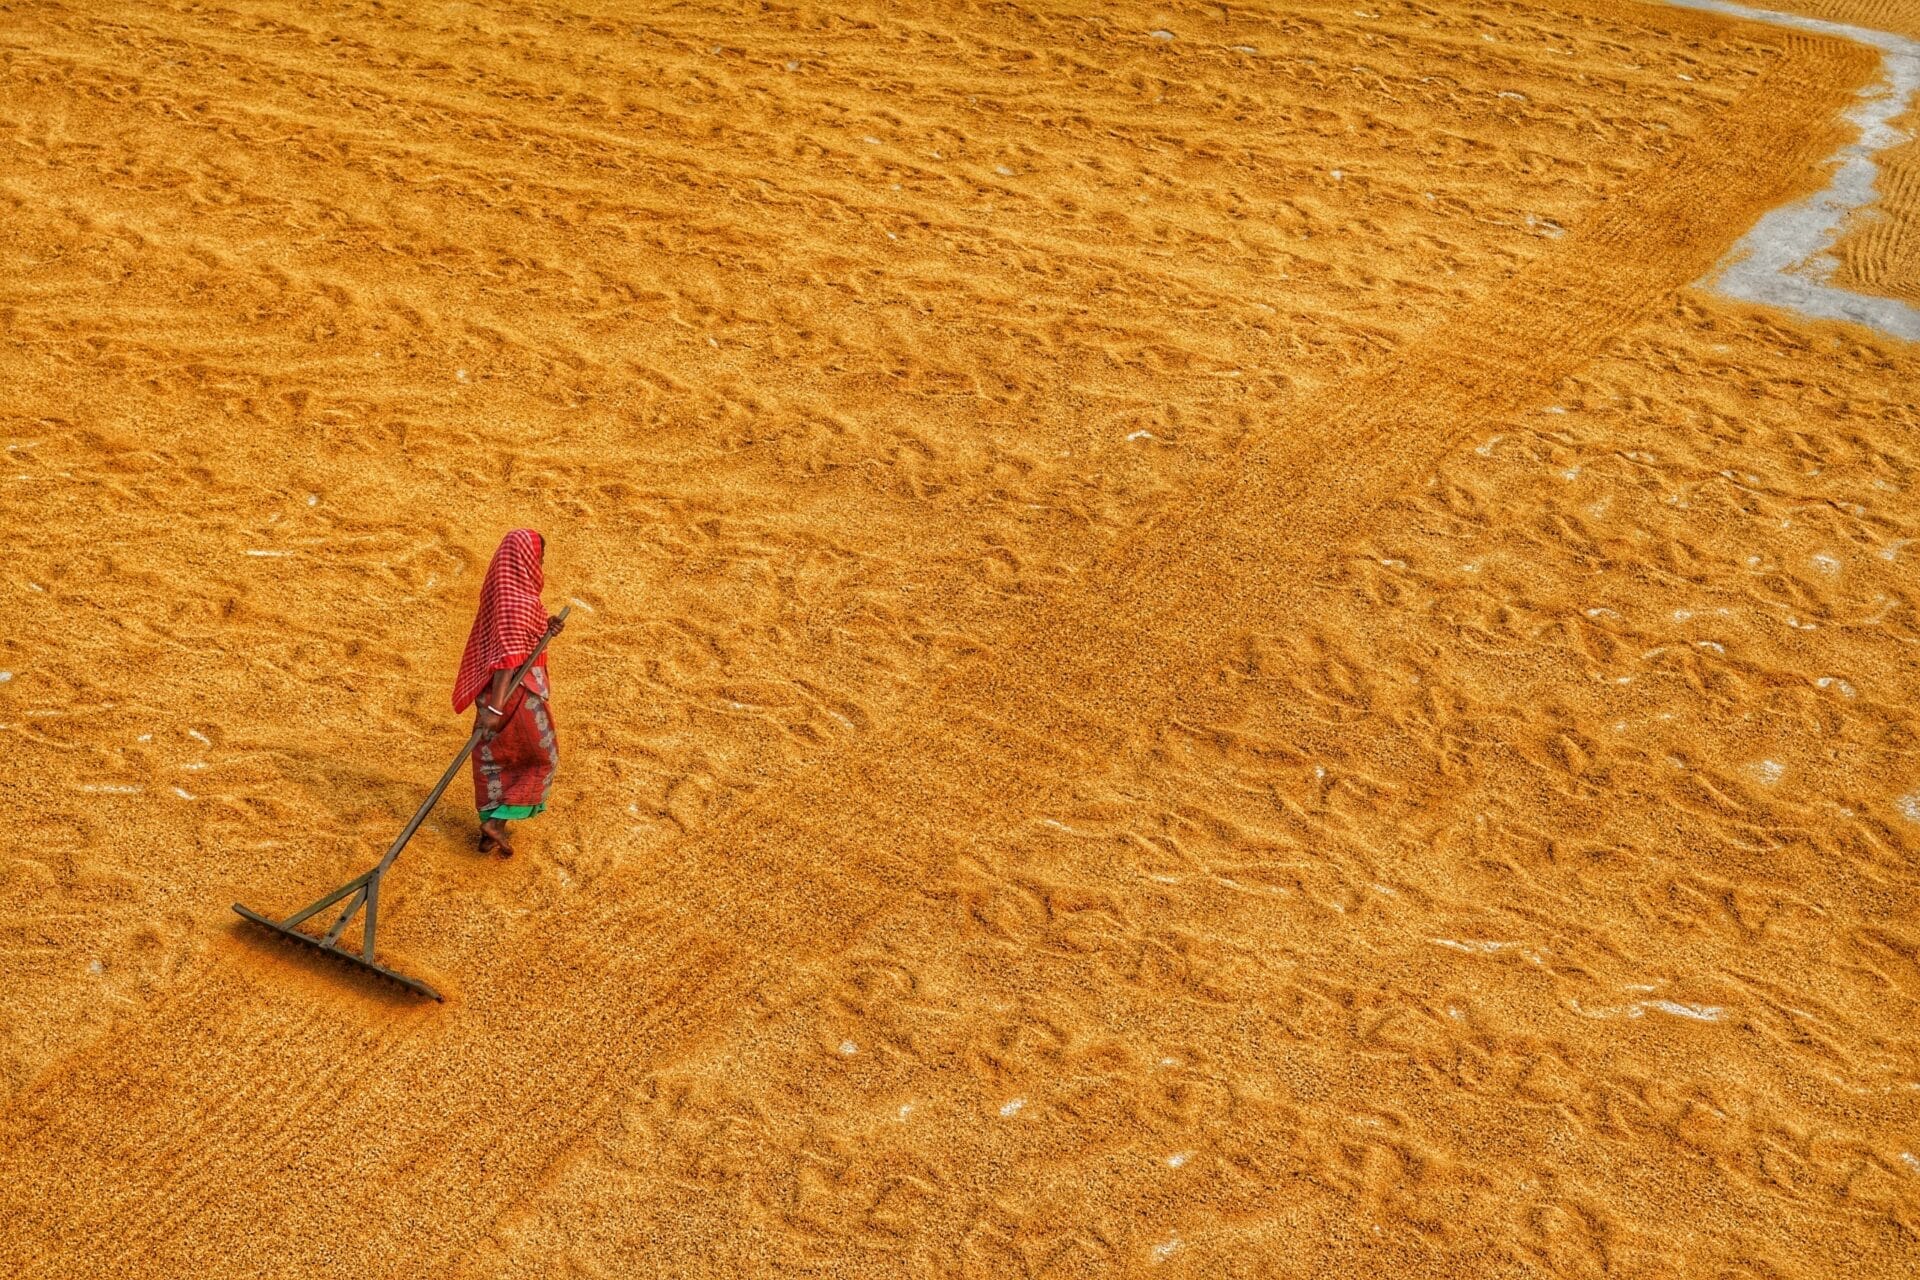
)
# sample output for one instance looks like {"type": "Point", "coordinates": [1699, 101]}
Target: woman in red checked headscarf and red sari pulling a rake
{"type": "Point", "coordinates": [517, 755]}
